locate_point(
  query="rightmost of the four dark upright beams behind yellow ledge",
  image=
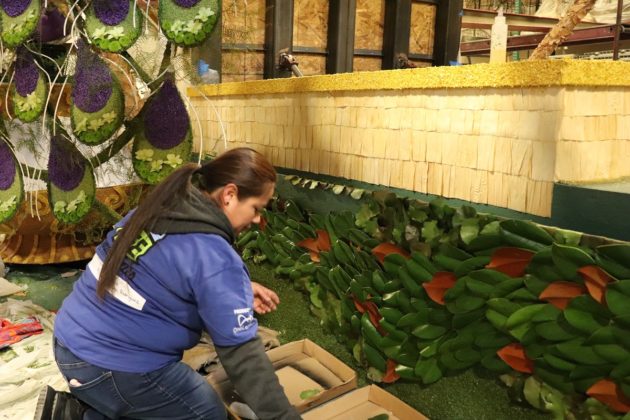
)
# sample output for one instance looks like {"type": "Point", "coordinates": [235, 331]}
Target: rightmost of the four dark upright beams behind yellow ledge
{"type": "Point", "coordinates": [448, 26]}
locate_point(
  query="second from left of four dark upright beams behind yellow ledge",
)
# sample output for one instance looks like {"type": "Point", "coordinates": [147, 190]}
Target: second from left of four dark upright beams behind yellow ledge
{"type": "Point", "coordinates": [341, 22]}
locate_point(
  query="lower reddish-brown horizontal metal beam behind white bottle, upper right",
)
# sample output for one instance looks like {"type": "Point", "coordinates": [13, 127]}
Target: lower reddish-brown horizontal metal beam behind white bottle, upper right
{"type": "Point", "coordinates": [529, 42]}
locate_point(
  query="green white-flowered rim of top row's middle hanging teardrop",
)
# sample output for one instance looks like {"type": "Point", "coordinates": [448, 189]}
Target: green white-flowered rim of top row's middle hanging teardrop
{"type": "Point", "coordinates": [114, 38]}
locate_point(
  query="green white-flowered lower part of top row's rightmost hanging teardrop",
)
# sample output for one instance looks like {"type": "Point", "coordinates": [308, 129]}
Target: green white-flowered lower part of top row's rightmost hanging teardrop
{"type": "Point", "coordinates": [188, 26]}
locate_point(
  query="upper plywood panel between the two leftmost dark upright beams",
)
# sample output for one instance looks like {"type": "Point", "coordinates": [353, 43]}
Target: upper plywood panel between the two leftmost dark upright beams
{"type": "Point", "coordinates": [310, 23]}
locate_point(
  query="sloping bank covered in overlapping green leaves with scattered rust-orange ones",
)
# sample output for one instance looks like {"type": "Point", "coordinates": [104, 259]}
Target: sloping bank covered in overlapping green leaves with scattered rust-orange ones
{"type": "Point", "coordinates": [493, 297]}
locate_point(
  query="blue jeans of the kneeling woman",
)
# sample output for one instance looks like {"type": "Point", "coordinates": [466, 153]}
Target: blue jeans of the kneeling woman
{"type": "Point", "coordinates": [172, 392]}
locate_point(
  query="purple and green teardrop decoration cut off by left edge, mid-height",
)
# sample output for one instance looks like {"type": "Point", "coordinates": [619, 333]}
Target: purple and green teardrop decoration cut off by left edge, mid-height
{"type": "Point", "coordinates": [11, 183]}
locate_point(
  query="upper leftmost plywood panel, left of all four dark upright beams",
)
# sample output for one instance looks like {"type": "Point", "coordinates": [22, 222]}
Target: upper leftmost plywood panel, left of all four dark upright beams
{"type": "Point", "coordinates": [243, 21]}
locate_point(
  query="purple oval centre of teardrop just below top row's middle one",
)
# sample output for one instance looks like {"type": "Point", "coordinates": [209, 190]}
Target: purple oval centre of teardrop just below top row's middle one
{"type": "Point", "coordinates": [92, 81]}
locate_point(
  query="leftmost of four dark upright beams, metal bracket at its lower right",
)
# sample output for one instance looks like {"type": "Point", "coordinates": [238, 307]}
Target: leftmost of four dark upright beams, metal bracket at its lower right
{"type": "Point", "coordinates": [278, 36]}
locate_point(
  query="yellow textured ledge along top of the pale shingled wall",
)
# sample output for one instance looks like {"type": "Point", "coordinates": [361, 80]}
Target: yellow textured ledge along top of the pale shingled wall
{"type": "Point", "coordinates": [510, 75]}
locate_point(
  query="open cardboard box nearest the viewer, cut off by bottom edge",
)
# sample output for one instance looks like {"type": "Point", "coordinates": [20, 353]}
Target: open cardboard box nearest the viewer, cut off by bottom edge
{"type": "Point", "coordinates": [362, 404]}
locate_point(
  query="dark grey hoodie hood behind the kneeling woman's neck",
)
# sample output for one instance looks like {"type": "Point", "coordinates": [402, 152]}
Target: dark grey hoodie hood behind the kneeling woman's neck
{"type": "Point", "coordinates": [195, 214]}
